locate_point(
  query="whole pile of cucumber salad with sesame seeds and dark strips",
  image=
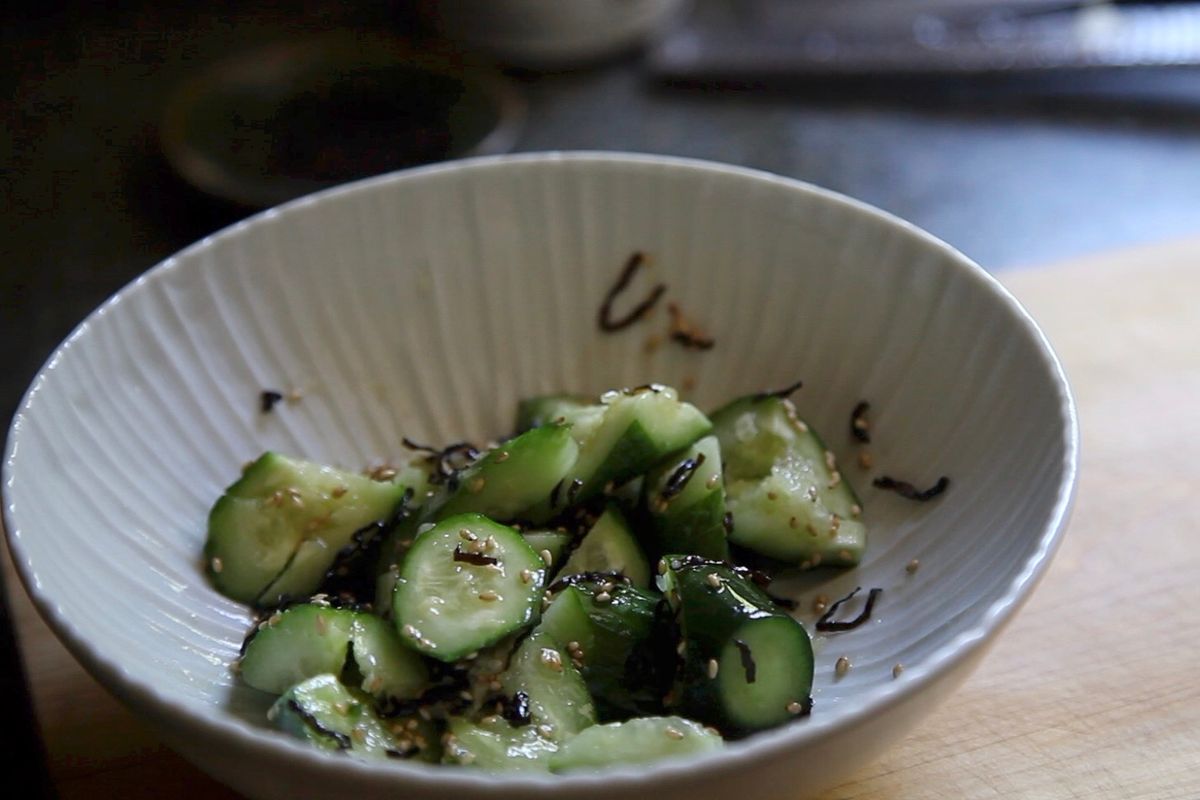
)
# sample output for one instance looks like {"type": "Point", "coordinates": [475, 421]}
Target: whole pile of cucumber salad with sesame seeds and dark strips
{"type": "Point", "coordinates": [572, 598]}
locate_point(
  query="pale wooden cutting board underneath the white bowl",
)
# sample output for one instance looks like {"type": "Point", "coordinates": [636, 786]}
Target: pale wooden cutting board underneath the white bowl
{"type": "Point", "coordinates": [1093, 693]}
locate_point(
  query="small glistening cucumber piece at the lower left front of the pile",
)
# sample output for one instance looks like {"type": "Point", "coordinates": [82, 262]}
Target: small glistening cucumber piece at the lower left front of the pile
{"type": "Point", "coordinates": [325, 713]}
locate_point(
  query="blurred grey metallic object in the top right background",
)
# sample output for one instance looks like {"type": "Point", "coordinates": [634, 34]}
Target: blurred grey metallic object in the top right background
{"type": "Point", "coordinates": [781, 39]}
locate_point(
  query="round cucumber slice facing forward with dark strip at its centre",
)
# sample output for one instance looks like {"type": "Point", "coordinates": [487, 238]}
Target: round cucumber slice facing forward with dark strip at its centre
{"type": "Point", "coordinates": [466, 584]}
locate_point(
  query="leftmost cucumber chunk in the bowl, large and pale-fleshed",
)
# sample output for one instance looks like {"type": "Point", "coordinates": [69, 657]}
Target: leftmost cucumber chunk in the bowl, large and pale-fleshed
{"type": "Point", "coordinates": [278, 509]}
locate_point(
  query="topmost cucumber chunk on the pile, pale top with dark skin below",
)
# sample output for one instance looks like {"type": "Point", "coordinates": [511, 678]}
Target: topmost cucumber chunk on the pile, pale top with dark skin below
{"type": "Point", "coordinates": [622, 438]}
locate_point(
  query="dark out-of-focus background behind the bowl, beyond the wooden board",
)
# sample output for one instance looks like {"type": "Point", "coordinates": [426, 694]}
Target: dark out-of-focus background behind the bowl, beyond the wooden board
{"type": "Point", "coordinates": [1021, 133]}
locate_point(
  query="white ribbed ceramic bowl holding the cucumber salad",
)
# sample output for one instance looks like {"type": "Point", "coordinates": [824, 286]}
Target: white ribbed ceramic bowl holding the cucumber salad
{"type": "Point", "coordinates": [425, 304]}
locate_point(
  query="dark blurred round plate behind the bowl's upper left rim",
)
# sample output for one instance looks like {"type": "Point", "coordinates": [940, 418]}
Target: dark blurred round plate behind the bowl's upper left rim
{"type": "Point", "coordinates": [290, 119]}
